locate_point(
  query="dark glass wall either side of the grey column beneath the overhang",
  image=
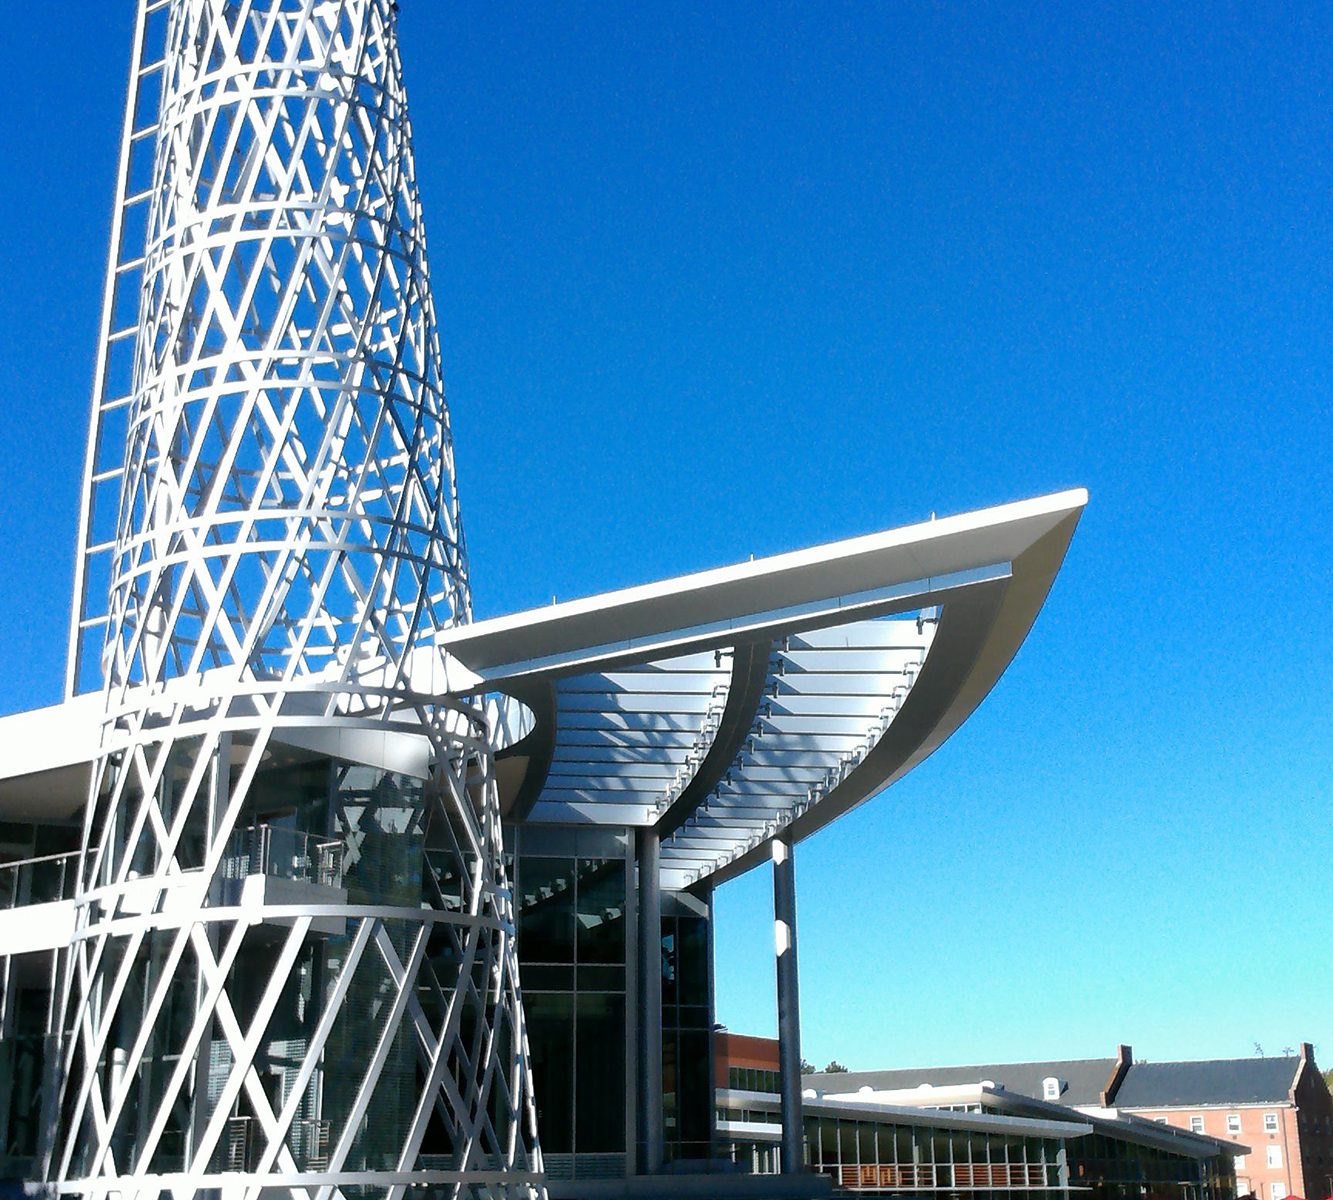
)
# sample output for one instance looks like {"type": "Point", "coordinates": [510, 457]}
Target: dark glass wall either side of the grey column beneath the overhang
{"type": "Point", "coordinates": [575, 905]}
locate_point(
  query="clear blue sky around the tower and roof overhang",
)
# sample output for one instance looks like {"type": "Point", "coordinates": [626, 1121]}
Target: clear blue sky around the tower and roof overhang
{"type": "Point", "coordinates": [734, 279]}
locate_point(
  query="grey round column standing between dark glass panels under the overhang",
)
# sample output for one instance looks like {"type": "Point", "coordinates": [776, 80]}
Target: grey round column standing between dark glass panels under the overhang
{"type": "Point", "coordinates": [651, 1119]}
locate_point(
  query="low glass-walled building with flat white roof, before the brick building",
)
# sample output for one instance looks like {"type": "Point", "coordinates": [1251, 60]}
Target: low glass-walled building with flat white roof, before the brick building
{"type": "Point", "coordinates": [962, 1139]}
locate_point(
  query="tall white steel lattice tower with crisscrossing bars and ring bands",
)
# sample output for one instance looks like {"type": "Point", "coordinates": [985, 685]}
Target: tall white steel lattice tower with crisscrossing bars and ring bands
{"type": "Point", "coordinates": [295, 965]}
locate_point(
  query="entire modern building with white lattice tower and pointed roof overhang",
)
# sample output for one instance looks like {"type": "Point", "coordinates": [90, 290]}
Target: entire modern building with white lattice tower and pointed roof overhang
{"type": "Point", "coordinates": [274, 869]}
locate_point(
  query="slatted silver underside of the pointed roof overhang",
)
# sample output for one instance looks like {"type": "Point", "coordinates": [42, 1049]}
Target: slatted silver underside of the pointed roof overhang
{"type": "Point", "coordinates": [748, 737]}
